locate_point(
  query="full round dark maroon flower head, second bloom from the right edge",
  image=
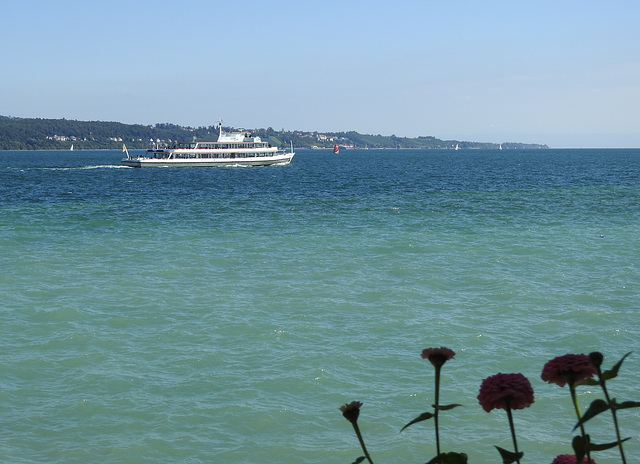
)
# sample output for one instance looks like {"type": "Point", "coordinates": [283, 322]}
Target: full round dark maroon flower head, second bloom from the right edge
{"type": "Point", "coordinates": [502, 391]}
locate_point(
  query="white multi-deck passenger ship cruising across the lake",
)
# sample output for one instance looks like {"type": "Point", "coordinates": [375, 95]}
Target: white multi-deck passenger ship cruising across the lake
{"type": "Point", "coordinates": [231, 149]}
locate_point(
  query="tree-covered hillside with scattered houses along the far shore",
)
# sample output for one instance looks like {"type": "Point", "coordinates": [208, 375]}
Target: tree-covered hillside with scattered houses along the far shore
{"type": "Point", "coordinates": [47, 134]}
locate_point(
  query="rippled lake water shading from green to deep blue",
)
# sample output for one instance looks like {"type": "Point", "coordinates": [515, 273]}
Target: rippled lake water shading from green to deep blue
{"type": "Point", "coordinates": [223, 315]}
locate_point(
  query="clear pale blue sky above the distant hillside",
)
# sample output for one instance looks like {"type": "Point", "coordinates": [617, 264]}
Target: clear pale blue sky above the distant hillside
{"type": "Point", "coordinates": [562, 73]}
